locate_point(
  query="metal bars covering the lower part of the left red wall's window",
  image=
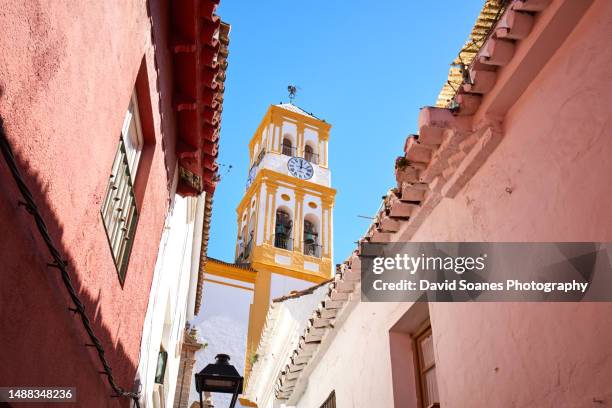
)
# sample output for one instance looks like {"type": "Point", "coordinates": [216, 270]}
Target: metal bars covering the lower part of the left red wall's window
{"type": "Point", "coordinates": [119, 212]}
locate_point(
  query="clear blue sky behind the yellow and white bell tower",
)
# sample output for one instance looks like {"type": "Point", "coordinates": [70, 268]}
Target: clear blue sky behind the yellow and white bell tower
{"type": "Point", "coordinates": [365, 67]}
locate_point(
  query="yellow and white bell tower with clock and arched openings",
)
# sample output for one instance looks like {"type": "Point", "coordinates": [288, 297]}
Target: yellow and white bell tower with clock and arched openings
{"type": "Point", "coordinates": [285, 219]}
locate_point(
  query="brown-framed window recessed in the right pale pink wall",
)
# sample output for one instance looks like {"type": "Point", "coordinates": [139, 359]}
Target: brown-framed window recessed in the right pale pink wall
{"type": "Point", "coordinates": [426, 368]}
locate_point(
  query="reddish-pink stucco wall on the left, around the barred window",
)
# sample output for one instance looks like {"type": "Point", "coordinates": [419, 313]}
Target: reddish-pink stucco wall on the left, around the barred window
{"type": "Point", "coordinates": [66, 75]}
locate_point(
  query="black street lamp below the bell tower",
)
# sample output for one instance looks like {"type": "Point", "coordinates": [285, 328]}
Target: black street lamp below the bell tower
{"type": "Point", "coordinates": [219, 377]}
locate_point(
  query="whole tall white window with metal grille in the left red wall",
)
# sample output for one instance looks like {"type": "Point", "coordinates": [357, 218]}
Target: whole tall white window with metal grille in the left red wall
{"type": "Point", "coordinates": [119, 212]}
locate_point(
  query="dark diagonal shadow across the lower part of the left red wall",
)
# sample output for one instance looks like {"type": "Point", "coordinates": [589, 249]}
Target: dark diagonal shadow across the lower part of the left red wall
{"type": "Point", "coordinates": [43, 342]}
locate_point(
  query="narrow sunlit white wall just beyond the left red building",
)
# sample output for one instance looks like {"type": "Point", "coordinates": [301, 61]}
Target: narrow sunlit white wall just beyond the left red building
{"type": "Point", "coordinates": [172, 296]}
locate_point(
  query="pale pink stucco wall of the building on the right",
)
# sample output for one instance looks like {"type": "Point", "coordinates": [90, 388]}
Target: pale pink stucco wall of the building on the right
{"type": "Point", "coordinates": [550, 179]}
